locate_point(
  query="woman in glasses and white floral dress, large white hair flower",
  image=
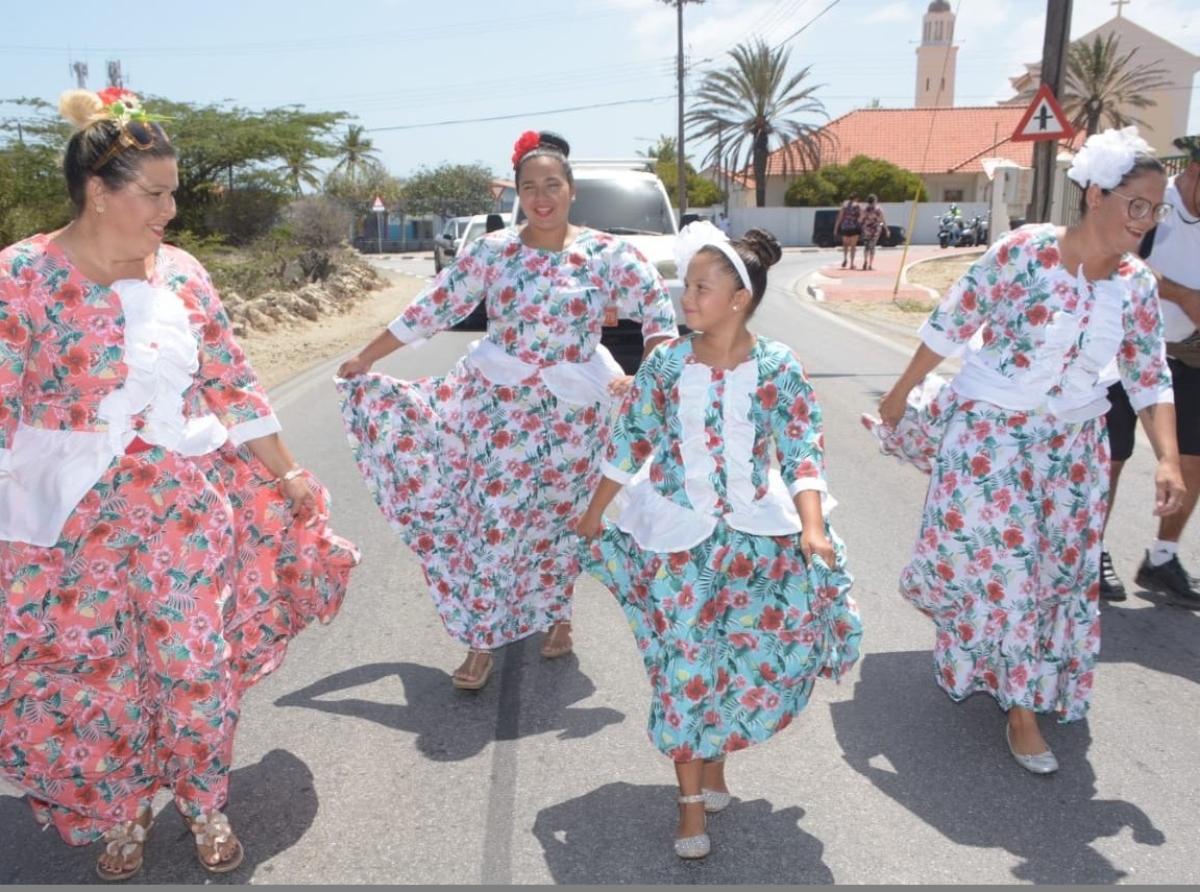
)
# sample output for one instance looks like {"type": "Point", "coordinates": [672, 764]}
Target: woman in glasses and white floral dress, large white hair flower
{"type": "Point", "coordinates": [1007, 559]}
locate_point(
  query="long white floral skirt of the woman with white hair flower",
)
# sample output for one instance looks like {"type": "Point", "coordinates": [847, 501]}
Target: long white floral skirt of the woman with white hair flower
{"type": "Point", "coordinates": [1007, 559]}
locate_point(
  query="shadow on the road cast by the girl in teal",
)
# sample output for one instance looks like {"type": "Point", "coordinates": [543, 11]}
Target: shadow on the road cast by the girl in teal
{"type": "Point", "coordinates": [623, 834]}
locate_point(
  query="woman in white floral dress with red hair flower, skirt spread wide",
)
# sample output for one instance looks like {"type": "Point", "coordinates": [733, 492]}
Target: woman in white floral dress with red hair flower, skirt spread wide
{"type": "Point", "coordinates": [484, 471]}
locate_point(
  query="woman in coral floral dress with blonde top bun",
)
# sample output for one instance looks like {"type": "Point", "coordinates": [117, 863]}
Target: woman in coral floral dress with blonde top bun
{"type": "Point", "coordinates": [159, 546]}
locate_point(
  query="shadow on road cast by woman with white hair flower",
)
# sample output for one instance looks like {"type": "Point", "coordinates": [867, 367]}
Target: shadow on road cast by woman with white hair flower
{"type": "Point", "coordinates": [949, 765]}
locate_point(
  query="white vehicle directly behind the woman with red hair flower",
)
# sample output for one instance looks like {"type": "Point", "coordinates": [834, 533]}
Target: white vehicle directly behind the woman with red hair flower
{"type": "Point", "coordinates": [627, 199]}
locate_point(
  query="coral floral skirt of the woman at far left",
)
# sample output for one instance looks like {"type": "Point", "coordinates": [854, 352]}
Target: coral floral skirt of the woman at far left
{"type": "Point", "coordinates": [125, 649]}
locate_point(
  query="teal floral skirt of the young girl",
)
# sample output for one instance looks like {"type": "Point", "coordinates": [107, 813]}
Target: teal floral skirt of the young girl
{"type": "Point", "coordinates": [733, 633]}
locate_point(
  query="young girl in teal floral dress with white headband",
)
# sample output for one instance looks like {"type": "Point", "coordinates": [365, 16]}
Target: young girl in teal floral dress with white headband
{"type": "Point", "coordinates": [733, 580]}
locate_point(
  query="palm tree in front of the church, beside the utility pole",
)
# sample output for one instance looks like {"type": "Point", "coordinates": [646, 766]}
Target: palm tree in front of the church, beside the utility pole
{"type": "Point", "coordinates": [1103, 86]}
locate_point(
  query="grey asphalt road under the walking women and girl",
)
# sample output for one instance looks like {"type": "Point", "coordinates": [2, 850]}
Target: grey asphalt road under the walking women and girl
{"type": "Point", "coordinates": [358, 763]}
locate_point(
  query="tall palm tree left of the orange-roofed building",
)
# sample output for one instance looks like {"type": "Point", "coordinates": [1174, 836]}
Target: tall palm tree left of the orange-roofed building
{"type": "Point", "coordinates": [753, 106]}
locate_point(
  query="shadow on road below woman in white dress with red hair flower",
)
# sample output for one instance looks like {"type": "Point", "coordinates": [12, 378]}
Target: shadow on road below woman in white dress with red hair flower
{"type": "Point", "coordinates": [526, 697]}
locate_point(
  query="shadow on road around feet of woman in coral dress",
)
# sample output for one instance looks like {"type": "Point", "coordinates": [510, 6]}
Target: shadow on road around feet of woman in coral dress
{"type": "Point", "coordinates": [272, 806]}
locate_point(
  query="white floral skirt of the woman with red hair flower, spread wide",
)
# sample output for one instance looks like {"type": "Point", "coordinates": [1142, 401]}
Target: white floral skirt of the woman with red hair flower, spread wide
{"type": "Point", "coordinates": [483, 482]}
